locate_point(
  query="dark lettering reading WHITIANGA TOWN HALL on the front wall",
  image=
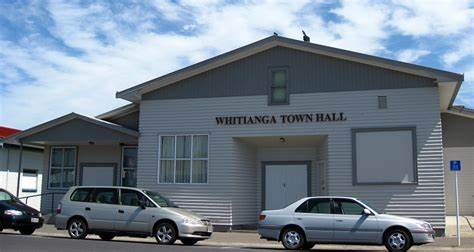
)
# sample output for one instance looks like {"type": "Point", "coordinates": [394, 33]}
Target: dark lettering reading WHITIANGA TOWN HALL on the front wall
{"type": "Point", "coordinates": [284, 119]}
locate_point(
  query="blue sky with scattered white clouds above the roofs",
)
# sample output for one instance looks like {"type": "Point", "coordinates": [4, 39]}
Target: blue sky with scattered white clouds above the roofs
{"type": "Point", "coordinates": [62, 56]}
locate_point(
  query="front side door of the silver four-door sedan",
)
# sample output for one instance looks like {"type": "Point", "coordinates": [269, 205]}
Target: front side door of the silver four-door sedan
{"type": "Point", "coordinates": [351, 224]}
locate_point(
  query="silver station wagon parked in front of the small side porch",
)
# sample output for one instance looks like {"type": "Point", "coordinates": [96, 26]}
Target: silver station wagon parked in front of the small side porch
{"type": "Point", "coordinates": [127, 211]}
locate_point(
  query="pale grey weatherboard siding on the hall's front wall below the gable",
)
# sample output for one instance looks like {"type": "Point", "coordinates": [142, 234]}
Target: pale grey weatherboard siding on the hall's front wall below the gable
{"type": "Point", "coordinates": [231, 195]}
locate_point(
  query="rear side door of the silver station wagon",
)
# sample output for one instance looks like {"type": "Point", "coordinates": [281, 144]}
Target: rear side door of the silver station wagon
{"type": "Point", "coordinates": [102, 210]}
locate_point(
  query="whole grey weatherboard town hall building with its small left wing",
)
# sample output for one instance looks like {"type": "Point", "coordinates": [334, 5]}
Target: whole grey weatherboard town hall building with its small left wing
{"type": "Point", "coordinates": [263, 125]}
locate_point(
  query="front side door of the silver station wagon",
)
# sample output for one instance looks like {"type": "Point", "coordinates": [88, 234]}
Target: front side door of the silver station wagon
{"type": "Point", "coordinates": [131, 217]}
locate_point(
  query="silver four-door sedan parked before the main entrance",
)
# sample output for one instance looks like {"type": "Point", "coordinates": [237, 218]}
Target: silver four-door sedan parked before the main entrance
{"type": "Point", "coordinates": [341, 220]}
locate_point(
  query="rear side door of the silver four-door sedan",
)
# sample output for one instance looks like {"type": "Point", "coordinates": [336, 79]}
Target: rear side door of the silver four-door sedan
{"type": "Point", "coordinates": [316, 218]}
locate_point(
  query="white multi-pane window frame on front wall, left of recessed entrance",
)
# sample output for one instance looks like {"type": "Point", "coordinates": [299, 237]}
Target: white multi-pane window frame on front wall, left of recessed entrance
{"type": "Point", "coordinates": [191, 159]}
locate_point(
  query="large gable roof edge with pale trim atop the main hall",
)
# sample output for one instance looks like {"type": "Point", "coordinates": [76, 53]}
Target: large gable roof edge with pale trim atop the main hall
{"type": "Point", "coordinates": [133, 94]}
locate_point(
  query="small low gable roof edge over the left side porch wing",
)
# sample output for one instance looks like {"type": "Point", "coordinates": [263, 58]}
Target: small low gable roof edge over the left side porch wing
{"type": "Point", "coordinates": [67, 118]}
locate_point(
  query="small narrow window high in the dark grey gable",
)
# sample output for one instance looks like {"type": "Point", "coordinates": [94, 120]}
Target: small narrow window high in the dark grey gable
{"type": "Point", "coordinates": [279, 86]}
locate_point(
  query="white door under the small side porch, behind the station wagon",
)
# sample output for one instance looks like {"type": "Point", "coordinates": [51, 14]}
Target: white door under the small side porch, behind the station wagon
{"type": "Point", "coordinates": [98, 175]}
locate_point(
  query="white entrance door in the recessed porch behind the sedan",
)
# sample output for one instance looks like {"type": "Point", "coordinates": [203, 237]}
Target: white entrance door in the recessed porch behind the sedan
{"type": "Point", "coordinates": [285, 184]}
